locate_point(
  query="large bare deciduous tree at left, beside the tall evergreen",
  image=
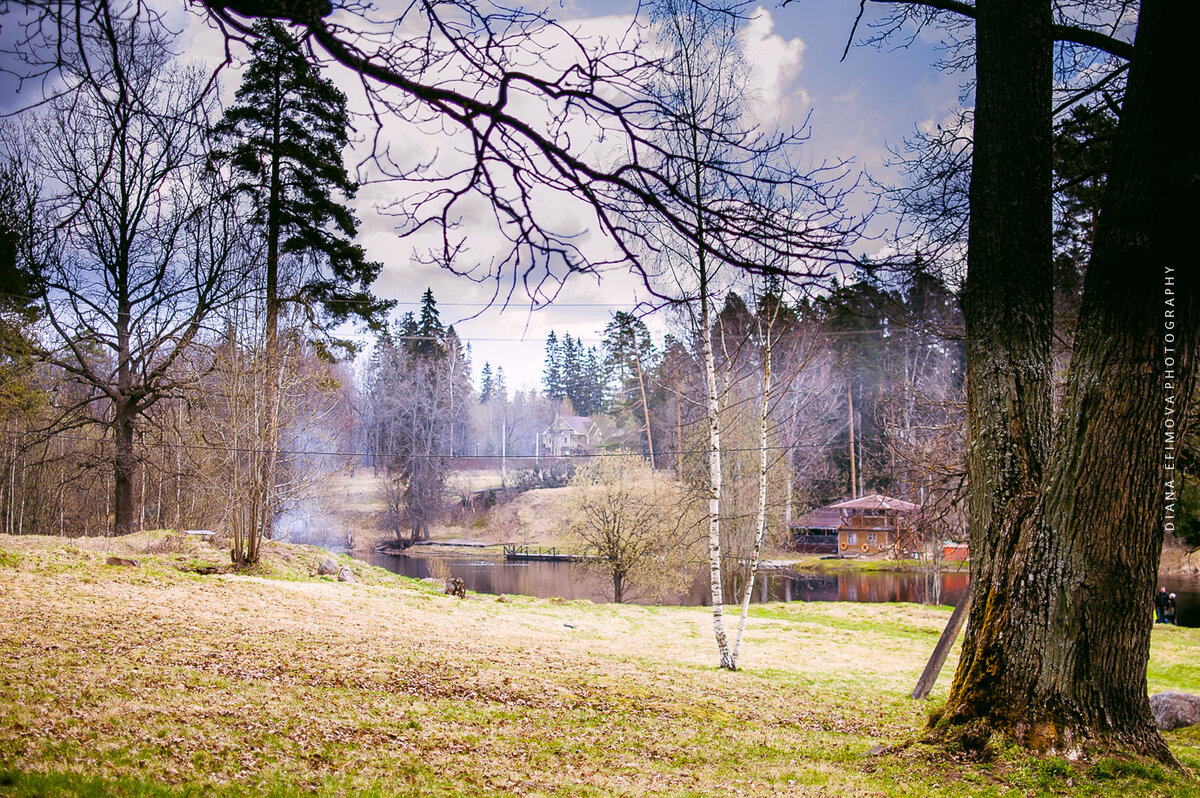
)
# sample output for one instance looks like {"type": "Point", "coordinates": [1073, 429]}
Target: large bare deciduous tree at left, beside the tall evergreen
{"type": "Point", "coordinates": [146, 249]}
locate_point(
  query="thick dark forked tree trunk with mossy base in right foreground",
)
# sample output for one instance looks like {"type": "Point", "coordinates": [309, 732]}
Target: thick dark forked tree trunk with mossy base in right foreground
{"type": "Point", "coordinates": [1066, 535]}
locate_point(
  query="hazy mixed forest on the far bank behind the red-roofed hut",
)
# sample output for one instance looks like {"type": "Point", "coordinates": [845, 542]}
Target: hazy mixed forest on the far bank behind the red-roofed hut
{"type": "Point", "coordinates": [861, 370]}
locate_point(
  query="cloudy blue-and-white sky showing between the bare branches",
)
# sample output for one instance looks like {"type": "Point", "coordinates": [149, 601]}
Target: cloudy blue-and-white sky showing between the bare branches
{"type": "Point", "coordinates": [855, 110]}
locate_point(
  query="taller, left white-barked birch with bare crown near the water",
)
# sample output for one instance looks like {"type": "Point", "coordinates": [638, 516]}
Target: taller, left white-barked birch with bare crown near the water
{"type": "Point", "coordinates": [717, 158]}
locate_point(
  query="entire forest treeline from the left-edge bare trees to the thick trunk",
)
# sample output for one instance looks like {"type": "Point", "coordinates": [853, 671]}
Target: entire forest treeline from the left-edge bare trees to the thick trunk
{"type": "Point", "coordinates": [179, 279]}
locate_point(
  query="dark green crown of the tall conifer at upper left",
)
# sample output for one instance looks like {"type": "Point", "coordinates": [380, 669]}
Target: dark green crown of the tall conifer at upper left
{"type": "Point", "coordinates": [286, 134]}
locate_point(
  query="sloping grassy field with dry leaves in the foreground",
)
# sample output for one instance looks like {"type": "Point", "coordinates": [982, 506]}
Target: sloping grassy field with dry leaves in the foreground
{"type": "Point", "coordinates": [159, 681]}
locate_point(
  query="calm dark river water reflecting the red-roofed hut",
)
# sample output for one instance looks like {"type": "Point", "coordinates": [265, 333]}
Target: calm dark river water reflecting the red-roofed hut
{"type": "Point", "coordinates": [571, 581]}
